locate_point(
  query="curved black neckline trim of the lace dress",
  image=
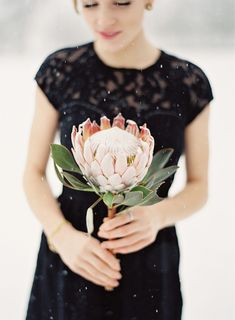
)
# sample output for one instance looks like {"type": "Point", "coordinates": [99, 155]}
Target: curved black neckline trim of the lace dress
{"type": "Point", "coordinates": [154, 65]}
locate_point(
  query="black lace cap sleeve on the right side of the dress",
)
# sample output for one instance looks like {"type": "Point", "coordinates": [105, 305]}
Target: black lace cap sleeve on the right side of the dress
{"type": "Point", "coordinates": [199, 92]}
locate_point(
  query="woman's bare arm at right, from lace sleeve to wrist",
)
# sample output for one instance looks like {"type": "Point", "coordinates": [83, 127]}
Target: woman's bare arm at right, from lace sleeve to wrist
{"type": "Point", "coordinates": [195, 193]}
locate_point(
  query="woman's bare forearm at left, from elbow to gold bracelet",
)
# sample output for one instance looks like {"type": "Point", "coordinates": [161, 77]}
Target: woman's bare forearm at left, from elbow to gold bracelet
{"type": "Point", "coordinates": [42, 201]}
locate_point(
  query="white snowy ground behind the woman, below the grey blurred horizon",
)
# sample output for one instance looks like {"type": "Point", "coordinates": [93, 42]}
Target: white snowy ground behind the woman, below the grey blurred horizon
{"type": "Point", "coordinates": [207, 254]}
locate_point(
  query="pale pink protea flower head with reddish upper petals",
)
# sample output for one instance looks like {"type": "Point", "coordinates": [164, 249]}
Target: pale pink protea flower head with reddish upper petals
{"type": "Point", "coordinates": [116, 157]}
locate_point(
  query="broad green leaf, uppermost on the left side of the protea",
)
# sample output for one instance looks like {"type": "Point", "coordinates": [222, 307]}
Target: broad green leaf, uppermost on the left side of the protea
{"type": "Point", "coordinates": [63, 158]}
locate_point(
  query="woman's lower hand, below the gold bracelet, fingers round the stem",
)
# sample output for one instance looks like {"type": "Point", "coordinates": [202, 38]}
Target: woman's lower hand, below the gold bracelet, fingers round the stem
{"type": "Point", "coordinates": [84, 255]}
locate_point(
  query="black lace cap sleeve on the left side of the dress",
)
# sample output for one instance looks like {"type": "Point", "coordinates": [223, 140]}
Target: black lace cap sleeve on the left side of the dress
{"type": "Point", "coordinates": [50, 77]}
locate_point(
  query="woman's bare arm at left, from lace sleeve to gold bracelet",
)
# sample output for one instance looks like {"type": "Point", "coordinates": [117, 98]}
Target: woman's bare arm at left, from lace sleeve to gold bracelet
{"type": "Point", "coordinates": [36, 187]}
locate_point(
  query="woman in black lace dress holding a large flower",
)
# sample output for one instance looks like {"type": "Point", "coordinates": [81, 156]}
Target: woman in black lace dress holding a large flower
{"type": "Point", "coordinates": [120, 71]}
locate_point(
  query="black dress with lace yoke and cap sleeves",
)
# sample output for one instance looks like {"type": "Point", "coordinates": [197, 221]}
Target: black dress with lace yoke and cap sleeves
{"type": "Point", "coordinates": [167, 95]}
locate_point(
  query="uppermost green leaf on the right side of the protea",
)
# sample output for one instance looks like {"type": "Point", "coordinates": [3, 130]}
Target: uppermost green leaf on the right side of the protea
{"type": "Point", "coordinates": [159, 161]}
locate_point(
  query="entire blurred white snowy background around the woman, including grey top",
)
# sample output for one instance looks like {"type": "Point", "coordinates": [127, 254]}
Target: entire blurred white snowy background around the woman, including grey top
{"type": "Point", "coordinates": [200, 31]}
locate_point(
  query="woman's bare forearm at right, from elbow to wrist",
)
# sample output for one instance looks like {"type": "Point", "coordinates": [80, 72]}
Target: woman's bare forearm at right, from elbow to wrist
{"type": "Point", "coordinates": [182, 205]}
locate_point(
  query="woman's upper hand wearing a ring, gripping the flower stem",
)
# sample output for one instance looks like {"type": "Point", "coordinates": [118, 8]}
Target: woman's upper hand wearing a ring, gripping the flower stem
{"type": "Point", "coordinates": [134, 235]}
